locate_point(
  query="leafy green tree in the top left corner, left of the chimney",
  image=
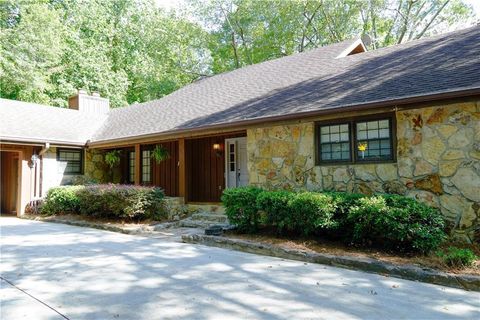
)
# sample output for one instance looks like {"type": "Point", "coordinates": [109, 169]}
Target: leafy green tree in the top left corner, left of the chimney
{"type": "Point", "coordinates": [29, 53]}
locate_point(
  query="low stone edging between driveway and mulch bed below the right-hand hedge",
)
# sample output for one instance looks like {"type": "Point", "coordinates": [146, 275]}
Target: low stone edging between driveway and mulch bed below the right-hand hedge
{"type": "Point", "coordinates": [408, 272]}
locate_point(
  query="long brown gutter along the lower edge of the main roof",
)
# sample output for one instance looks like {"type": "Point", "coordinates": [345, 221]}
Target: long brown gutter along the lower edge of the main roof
{"type": "Point", "coordinates": [294, 116]}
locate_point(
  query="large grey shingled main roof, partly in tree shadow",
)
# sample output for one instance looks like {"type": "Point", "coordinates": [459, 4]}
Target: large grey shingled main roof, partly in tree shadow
{"type": "Point", "coordinates": [308, 82]}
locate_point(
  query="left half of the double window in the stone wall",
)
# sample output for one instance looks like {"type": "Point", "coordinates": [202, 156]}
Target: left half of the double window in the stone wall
{"type": "Point", "coordinates": [335, 142]}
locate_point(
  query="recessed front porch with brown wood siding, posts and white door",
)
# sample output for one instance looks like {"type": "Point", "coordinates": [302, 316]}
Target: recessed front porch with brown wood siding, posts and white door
{"type": "Point", "coordinates": [197, 169]}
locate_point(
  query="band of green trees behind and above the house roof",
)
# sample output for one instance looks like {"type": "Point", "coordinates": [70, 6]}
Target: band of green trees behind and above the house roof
{"type": "Point", "coordinates": [134, 51]}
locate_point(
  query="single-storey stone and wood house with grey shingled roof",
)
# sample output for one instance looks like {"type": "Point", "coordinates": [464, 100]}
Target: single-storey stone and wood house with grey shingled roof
{"type": "Point", "coordinates": [403, 119]}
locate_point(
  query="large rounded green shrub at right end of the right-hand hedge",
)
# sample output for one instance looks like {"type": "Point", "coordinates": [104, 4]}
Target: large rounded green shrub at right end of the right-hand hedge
{"type": "Point", "coordinates": [396, 222]}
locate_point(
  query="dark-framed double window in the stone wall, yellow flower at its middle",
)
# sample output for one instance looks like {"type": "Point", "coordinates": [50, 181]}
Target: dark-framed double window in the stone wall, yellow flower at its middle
{"type": "Point", "coordinates": [355, 141]}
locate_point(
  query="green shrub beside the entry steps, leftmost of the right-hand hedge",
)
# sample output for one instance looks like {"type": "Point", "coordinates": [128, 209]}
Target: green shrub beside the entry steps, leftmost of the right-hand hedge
{"type": "Point", "coordinates": [241, 209]}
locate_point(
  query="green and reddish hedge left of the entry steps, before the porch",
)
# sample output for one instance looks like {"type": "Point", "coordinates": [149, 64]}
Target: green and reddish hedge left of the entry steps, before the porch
{"type": "Point", "coordinates": [106, 201]}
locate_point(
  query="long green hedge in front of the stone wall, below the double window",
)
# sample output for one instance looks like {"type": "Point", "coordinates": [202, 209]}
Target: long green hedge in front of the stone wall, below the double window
{"type": "Point", "coordinates": [382, 220]}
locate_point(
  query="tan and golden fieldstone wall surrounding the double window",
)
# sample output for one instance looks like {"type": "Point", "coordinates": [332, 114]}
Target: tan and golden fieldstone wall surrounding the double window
{"type": "Point", "coordinates": [438, 162]}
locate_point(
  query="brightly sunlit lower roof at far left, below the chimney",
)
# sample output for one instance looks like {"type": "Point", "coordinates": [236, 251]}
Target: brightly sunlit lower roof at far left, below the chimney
{"type": "Point", "coordinates": [35, 123]}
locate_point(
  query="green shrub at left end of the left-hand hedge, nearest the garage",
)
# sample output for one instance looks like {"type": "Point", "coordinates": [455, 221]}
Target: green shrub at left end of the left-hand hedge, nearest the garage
{"type": "Point", "coordinates": [61, 200]}
